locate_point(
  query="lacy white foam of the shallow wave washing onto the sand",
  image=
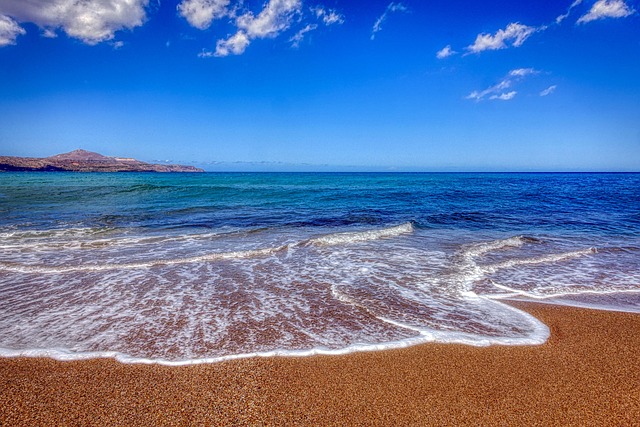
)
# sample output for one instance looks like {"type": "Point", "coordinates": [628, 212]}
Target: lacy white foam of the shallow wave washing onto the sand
{"type": "Point", "coordinates": [323, 295]}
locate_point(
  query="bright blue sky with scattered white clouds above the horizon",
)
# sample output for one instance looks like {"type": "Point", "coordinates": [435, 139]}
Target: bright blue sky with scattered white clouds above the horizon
{"type": "Point", "coordinates": [411, 85]}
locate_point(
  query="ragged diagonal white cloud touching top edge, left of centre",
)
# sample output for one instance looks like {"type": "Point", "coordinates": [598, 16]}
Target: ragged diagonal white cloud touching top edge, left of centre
{"type": "Point", "coordinates": [275, 17]}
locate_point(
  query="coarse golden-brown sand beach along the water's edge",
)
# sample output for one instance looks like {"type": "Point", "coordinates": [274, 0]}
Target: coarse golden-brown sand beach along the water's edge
{"type": "Point", "coordinates": [588, 373]}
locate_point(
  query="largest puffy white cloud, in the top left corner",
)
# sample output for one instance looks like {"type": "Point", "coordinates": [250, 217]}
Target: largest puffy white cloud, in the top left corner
{"type": "Point", "coordinates": [91, 21]}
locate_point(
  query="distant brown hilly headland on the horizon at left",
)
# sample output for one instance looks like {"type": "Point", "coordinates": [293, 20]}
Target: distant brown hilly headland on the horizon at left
{"type": "Point", "coordinates": [86, 161]}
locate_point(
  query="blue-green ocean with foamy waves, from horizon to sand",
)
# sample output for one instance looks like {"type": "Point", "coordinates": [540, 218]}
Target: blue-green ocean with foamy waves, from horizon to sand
{"type": "Point", "coordinates": [198, 268]}
